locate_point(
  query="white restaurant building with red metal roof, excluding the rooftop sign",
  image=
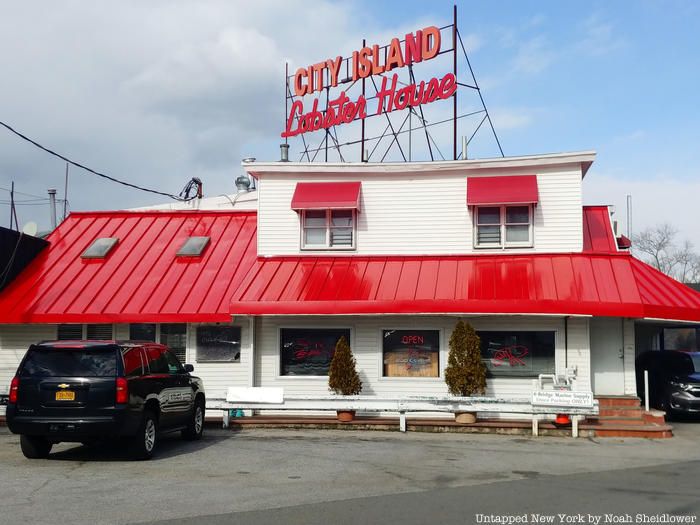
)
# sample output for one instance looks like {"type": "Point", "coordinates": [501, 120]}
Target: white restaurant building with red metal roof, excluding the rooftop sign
{"type": "Point", "coordinates": [389, 255]}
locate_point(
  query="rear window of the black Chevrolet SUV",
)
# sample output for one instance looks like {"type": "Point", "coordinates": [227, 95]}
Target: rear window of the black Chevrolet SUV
{"type": "Point", "coordinates": [55, 362]}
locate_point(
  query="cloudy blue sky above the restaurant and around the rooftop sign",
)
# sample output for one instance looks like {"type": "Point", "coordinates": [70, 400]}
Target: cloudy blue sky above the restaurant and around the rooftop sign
{"type": "Point", "coordinates": [158, 92]}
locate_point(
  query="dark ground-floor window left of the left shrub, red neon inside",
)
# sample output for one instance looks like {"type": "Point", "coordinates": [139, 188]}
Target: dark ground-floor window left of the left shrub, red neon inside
{"type": "Point", "coordinates": [308, 351]}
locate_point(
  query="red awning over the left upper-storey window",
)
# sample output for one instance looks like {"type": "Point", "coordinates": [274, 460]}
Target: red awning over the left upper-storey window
{"type": "Point", "coordinates": [326, 195]}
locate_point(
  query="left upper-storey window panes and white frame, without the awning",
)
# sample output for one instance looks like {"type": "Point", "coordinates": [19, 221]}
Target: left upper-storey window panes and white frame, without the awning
{"type": "Point", "coordinates": [325, 229]}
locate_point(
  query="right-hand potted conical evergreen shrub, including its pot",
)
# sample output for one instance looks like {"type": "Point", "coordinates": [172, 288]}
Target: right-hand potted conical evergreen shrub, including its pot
{"type": "Point", "coordinates": [465, 374]}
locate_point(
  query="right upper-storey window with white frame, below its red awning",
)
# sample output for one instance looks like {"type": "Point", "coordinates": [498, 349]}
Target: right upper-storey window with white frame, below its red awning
{"type": "Point", "coordinates": [503, 226]}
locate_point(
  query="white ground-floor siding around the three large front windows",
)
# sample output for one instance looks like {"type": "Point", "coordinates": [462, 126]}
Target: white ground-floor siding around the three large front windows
{"type": "Point", "coordinates": [366, 345]}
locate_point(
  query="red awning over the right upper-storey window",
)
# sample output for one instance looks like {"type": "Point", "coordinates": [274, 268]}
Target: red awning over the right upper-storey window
{"type": "Point", "coordinates": [511, 189]}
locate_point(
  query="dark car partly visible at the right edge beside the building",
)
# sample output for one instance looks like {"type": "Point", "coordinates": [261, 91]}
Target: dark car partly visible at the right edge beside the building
{"type": "Point", "coordinates": [674, 380]}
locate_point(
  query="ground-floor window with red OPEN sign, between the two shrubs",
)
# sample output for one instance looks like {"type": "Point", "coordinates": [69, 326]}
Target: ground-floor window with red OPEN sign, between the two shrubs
{"type": "Point", "coordinates": [411, 353]}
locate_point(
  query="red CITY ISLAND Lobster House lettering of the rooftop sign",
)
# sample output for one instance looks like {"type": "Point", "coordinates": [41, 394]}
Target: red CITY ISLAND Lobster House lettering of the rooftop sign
{"type": "Point", "coordinates": [417, 47]}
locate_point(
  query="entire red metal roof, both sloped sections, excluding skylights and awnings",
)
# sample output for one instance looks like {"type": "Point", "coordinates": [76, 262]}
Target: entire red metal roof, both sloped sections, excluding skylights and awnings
{"type": "Point", "coordinates": [142, 280]}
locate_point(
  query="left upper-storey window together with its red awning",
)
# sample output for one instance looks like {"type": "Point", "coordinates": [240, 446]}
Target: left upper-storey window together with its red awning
{"type": "Point", "coordinates": [327, 214]}
